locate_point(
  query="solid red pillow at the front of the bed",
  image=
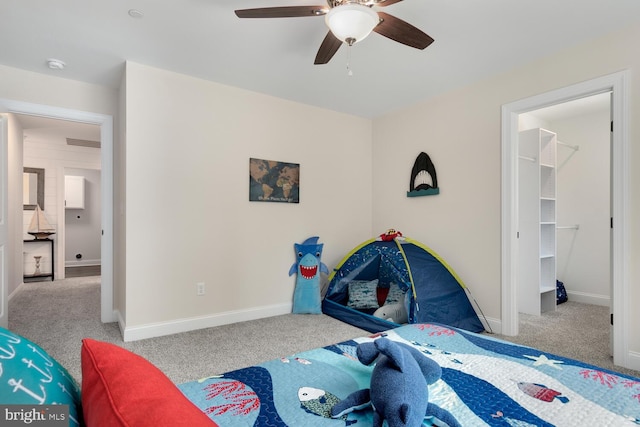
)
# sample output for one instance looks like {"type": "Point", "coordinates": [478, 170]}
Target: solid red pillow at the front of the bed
{"type": "Point", "coordinates": [122, 389]}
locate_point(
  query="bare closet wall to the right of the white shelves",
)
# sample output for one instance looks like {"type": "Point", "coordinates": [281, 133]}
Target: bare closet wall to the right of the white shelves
{"type": "Point", "coordinates": [583, 199]}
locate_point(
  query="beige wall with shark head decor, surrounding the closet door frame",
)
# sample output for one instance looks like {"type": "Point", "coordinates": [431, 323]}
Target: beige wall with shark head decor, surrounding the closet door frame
{"type": "Point", "coordinates": [461, 132]}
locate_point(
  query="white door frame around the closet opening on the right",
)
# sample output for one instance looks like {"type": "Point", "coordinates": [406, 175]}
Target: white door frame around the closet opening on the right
{"type": "Point", "coordinates": [617, 84]}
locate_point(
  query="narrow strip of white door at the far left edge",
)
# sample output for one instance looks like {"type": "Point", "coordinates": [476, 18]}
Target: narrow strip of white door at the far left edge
{"type": "Point", "coordinates": [4, 224]}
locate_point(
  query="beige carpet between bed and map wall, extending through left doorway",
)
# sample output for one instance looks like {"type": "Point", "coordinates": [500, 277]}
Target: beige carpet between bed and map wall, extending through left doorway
{"type": "Point", "coordinates": [57, 315]}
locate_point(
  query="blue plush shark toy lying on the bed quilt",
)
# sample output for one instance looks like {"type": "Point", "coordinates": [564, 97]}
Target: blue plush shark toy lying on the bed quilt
{"type": "Point", "coordinates": [399, 390]}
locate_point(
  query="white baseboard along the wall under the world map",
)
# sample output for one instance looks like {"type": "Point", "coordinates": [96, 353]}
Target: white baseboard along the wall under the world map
{"type": "Point", "coordinates": [152, 330]}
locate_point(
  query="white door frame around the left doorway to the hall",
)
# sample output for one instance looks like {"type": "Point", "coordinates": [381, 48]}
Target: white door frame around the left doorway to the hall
{"type": "Point", "coordinates": [107, 313]}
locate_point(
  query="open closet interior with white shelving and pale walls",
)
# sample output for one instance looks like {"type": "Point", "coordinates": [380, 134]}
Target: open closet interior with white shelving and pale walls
{"type": "Point", "coordinates": [564, 207]}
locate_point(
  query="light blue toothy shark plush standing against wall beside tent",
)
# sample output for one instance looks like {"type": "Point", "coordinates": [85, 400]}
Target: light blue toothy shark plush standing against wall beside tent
{"type": "Point", "coordinates": [306, 297]}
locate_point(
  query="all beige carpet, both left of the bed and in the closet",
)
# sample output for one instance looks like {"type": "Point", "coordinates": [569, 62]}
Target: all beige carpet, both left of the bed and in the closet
{"type": "Point", "coordinates": [57, 315]}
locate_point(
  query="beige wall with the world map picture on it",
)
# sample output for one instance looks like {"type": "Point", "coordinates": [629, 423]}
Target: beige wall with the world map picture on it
{"type": "Point", "coordinates": [187, 211]}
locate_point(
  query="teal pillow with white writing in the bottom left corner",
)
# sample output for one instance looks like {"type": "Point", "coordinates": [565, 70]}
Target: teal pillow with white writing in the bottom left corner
{"type": "Point", "coordinates": [29, 376]}
